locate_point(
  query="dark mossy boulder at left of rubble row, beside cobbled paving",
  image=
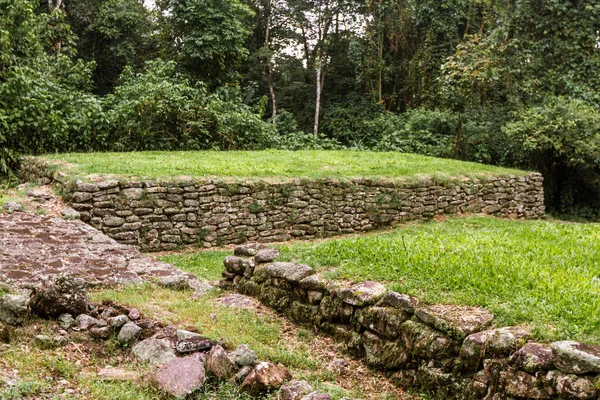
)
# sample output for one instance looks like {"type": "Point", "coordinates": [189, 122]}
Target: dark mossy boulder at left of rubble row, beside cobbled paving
{"type": "Point", "coordinates": [60, 295]}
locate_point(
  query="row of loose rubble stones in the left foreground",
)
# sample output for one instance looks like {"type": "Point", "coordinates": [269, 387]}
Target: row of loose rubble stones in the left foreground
{"type": "Point", "coordinates": [184, 360]}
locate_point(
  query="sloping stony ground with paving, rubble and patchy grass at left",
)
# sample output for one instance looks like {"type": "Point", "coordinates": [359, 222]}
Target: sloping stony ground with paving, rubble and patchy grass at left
{"type": "Point", "coordinates": [55, 342]}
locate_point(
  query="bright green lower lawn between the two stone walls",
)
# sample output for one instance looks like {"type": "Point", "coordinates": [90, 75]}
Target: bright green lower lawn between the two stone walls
{"type": "Point", "coordinates": [542, 273]}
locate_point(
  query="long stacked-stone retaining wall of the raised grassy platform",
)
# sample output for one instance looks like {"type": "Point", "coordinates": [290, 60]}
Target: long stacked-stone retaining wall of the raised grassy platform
{"type": "Point", "coordinates": [164, 215]}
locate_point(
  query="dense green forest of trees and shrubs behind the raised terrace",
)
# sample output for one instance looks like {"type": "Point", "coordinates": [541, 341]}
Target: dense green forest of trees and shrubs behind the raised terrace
{"type": "Point", "coordinates": [508, 82]}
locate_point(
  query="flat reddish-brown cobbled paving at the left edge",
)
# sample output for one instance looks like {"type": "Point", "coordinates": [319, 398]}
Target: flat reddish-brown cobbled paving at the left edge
{"type": "Point", "coordinates": [35, 248]}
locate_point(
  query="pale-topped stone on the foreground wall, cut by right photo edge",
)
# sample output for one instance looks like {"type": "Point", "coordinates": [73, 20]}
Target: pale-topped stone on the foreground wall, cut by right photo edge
{"type": "Point", "coordinates": [576, 358]}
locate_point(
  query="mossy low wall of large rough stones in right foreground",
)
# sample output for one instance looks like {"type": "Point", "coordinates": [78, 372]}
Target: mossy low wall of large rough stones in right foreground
{"type": "Point", "coordinates": [450, 350]}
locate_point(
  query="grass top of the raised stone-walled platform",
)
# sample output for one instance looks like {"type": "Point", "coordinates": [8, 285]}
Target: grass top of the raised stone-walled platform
{"type": "Point", "coordinates": [274, 164]}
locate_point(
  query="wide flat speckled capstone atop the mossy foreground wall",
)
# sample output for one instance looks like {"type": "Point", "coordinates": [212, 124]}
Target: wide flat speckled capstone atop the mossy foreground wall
{"type": "Point", "coordinates": [456, 321]}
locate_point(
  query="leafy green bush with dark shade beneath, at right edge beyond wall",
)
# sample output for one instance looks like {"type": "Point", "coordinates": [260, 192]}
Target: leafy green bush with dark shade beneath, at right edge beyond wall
{"type": "Point", "coordinates": [561, 138]}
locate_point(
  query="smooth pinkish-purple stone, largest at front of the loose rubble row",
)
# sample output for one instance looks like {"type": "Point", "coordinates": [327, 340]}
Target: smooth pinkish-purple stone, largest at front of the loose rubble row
{"type": "Point", "coordinates": [181, 377]}
